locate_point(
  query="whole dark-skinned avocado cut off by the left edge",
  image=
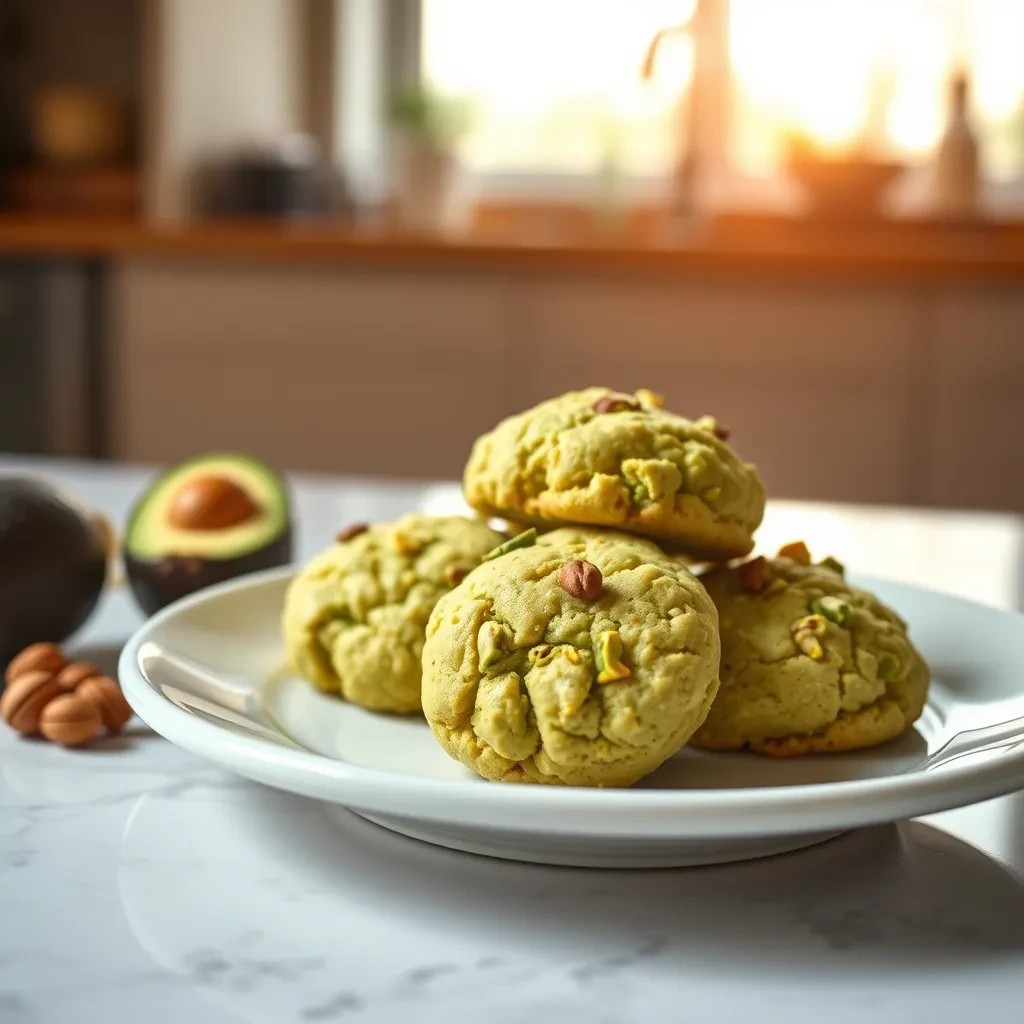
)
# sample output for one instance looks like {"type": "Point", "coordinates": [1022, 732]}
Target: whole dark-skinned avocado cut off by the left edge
{"type": "Point", "coordinates": [53, 565]}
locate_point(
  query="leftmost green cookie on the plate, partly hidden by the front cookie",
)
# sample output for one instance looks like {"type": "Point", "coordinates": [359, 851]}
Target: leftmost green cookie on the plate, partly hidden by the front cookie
{"type": "Point", "coordinates": [355, 618]}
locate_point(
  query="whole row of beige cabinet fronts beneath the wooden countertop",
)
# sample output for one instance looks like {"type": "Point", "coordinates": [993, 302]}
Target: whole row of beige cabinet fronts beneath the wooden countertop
{"type": "Point", "coordinates": [889, 393]}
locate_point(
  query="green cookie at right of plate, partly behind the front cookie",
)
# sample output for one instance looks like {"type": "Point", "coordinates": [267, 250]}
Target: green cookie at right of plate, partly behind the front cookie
{"type": "Point", "coordinates": [810, 665]}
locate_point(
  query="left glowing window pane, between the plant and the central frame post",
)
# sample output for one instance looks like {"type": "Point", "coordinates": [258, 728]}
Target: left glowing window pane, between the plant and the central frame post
{"type": "Point", "coordinates": [557, 83]}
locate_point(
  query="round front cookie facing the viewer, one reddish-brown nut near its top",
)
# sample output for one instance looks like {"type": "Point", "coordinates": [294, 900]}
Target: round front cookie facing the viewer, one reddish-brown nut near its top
{"type": "Point", "coordinates": [581, 658]}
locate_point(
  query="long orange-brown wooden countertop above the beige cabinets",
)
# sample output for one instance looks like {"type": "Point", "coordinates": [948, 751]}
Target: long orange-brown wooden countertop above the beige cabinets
{"type": "Point", "coordinates": [731, 247]}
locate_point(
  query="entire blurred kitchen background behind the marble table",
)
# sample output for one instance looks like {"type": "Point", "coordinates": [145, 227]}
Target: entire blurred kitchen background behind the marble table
{"type": "Point", "coordinates": [351, 235]}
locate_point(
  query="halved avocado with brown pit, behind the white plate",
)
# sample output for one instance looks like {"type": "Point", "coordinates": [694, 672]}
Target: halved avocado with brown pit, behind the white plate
{"type": "Point", "coordinates": [210, 519]}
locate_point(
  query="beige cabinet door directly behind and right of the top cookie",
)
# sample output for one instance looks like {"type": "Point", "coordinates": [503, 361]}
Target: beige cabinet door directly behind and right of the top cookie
{"type": "Point", "coordinates": [820, 383]}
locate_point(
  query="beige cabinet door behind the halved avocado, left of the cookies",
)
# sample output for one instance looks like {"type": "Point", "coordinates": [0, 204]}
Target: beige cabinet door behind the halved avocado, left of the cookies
{"type": "Point", "coordinates": [343, 371]}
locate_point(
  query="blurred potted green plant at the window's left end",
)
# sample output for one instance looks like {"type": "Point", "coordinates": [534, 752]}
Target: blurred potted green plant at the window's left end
{"type": "Point", "coordinates": [426, 129]}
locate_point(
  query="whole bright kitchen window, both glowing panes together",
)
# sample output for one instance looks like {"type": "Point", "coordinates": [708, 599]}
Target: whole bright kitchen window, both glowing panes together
{"type": "Point", "coordinates": [559, 93]}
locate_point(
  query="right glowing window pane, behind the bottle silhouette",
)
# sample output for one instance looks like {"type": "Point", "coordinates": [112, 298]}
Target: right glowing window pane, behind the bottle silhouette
{"type": "Point", "coordinates": [860, 73]}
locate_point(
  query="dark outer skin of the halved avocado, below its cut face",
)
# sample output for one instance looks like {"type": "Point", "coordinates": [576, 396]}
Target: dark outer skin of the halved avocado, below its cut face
{"type": "Point", "coordinates": [158, 583]}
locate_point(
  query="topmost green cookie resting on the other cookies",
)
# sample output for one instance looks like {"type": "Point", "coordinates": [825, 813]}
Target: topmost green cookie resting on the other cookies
{"type": "Point", "coordinates": [600, 458]}
